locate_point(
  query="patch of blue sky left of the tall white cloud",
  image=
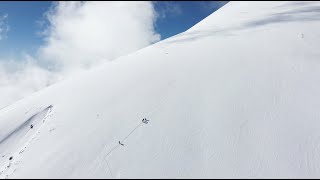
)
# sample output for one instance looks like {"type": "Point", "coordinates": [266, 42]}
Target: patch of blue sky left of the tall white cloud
{"type": "Point", "coordinates": [23, 27]}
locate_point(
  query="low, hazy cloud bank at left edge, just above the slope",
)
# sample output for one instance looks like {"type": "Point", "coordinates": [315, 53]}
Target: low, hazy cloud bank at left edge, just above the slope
{"type": "Point", "coordinates": [21, 78]}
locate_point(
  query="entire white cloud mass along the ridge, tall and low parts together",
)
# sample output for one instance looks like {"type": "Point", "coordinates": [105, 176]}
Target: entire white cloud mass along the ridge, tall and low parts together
{"type": "Point", "coordinates": [78, 35]}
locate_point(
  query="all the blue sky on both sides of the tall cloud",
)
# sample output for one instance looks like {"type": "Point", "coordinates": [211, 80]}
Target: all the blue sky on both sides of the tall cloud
{"type": "Point", "coordinates": [23, 21]}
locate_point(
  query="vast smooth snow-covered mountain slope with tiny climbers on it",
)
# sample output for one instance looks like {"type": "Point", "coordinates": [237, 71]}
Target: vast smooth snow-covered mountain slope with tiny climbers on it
{"type": "Point", "coordinates": [235, 96]}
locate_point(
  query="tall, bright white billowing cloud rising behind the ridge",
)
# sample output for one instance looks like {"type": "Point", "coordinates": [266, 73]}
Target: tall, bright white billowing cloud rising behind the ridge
{"type": "Point", "coordinates": [81, 34]}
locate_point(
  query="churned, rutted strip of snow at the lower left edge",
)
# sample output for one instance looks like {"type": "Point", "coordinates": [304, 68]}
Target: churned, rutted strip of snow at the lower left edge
{"type": "Point", "coordinates": [37, 120]}
